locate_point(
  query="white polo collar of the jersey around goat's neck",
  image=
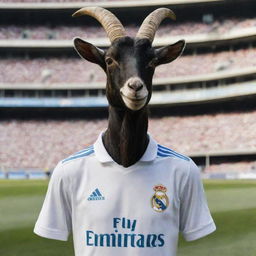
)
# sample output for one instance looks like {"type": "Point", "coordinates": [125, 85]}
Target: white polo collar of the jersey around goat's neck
{"type": "Point", "coordinates": [103, 156]}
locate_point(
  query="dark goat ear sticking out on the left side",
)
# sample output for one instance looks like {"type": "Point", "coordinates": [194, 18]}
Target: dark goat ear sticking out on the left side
{"type": "Point", "coordinates": [89, 52]}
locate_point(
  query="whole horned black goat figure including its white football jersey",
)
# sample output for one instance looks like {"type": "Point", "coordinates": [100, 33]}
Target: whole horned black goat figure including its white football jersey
{"type": "Point", "coordinates": [140, 213]}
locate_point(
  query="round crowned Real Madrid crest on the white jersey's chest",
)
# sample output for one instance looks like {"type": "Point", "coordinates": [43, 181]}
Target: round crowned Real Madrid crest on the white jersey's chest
{"type": "Point", "coordinates": [159, 200]}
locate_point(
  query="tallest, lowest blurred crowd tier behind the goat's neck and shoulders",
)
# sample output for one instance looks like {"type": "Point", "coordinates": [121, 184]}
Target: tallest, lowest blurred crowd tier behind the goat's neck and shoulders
{"type": "Point", "coordinates": [43, 143]}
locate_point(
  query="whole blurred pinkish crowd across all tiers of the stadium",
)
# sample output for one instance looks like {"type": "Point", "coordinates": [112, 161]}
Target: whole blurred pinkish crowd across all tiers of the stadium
{"type": "Point", "coordinates": [41, 144]}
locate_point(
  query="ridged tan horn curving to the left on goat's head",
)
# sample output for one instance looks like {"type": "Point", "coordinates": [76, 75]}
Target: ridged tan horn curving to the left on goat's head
{"type": "Point", "coordinates": [108, 20]}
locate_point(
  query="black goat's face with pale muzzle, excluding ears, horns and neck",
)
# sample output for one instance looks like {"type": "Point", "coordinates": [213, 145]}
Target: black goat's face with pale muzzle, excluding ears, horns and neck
{"type": "Point", "coordinates": [129, 76]}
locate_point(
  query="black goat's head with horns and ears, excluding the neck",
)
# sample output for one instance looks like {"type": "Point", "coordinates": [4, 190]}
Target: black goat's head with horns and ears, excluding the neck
{"type": "Point", "coordinates": [129, 63]}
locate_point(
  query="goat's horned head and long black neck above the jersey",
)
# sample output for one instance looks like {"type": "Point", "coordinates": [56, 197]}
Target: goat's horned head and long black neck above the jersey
{"type": "Point", "coordinates": [129, 64]}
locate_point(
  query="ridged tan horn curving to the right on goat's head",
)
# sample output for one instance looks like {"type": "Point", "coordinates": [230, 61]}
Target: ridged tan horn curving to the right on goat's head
{"type": "Point", "coordinates": [151, 23]}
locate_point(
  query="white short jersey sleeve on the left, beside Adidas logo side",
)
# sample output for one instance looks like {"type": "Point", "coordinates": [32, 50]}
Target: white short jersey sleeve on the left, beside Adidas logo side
{"type": "Point", "coordinates": [54, 220]}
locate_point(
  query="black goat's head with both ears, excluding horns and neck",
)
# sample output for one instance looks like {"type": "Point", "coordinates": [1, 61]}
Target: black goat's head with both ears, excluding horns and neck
{"type": "Point", "coordinates": [129, 65]}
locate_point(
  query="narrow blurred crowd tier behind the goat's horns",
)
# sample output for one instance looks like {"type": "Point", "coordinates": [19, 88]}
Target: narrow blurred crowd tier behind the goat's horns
{"type": "Point", "coordinates": [219, 26]}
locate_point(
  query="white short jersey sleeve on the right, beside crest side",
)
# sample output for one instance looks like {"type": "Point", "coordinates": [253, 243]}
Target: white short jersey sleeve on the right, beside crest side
{"type": "Point", "coordinates": [195, 217]}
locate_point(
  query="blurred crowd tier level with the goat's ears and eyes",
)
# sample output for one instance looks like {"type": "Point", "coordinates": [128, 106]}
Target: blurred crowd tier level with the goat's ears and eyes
{"type": "Point", "coordinates": [76, 70]}
